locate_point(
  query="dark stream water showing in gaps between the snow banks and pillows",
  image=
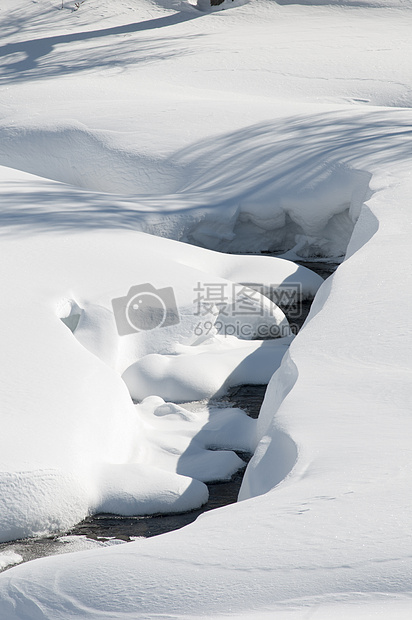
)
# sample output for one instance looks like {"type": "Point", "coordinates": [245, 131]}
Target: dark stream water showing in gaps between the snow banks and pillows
{"type": "Point", "coordinates": [103, 528]}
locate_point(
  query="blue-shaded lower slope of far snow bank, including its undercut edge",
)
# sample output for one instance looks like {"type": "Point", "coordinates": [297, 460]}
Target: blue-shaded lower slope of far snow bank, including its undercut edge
{"type": "Point", "coordinates": [260, 206]}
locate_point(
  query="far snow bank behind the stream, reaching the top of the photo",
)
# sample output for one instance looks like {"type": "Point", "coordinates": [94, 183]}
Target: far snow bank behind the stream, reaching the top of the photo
{"type": "Point", "coordinates": [238, 182]}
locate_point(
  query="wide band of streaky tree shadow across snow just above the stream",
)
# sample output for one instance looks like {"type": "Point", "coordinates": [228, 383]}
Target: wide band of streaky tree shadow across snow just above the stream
{"type": "Point", "coordinates": [270, 163]}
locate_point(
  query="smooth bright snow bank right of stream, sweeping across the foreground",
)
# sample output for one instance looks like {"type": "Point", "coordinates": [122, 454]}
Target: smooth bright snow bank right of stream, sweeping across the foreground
{"type": "Point", "coordinates": [310, 543]}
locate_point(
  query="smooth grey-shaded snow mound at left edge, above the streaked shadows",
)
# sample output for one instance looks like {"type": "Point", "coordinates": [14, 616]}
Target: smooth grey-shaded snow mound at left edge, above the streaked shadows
{"type": "Point", "coordinates": [86, 159]}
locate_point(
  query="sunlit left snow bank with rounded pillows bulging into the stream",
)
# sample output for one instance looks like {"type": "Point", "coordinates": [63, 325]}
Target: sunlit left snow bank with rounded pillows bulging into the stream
{"type": "Point", "coordinates": [92, 449]}
